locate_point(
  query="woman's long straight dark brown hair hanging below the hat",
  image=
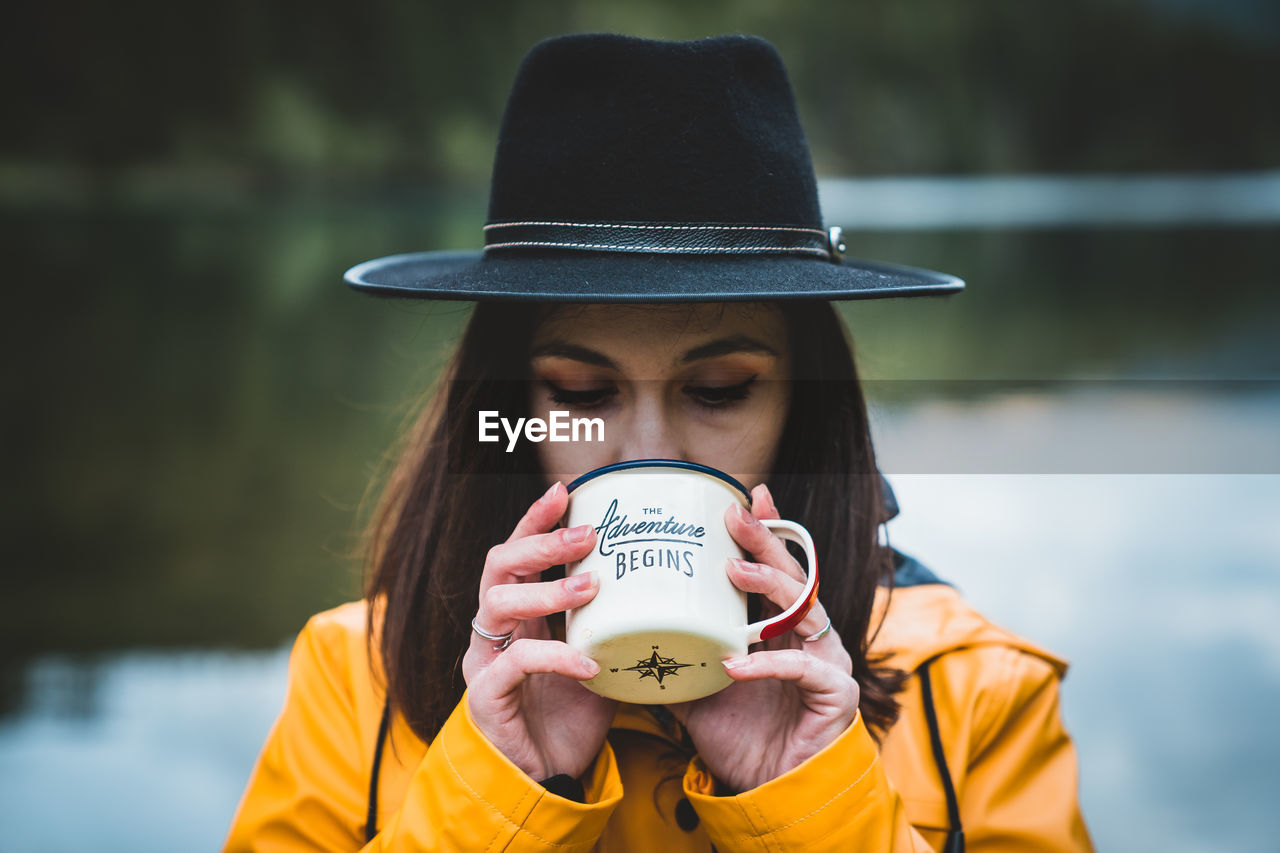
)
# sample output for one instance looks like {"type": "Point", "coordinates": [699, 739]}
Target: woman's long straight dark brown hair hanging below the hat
{"type": "Point", "coordinates": [450, 499]}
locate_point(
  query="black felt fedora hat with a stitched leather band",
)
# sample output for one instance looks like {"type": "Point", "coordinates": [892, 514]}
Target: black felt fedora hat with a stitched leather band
{"type": "Point", "coordinates": [637, 171]}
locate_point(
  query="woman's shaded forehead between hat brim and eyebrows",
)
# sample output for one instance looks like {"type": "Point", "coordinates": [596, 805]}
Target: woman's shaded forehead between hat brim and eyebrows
{"type": "Point", "coordinates": [669, 330]}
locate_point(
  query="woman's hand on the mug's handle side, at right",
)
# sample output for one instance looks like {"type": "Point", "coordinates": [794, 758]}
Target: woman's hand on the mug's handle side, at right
{"type": "Point", "coordinates": [790, 699]}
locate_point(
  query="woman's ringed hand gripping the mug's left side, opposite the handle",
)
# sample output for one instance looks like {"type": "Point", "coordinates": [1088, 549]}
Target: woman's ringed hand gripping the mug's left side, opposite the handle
{"type": "Point", "coordinates": [528, 699]}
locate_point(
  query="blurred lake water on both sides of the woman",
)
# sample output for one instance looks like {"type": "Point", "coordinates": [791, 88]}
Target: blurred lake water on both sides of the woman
{"type": "Point", "coordinates": [1085, 443]}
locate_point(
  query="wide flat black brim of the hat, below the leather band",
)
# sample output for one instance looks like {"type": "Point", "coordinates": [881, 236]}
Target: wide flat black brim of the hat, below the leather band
{"type": "Point", "coordinates": [627, 277]}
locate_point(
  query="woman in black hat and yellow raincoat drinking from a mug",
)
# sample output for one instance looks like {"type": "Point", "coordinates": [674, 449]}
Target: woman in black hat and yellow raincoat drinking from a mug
{"type": "Point", "coordinates": [655, 258]}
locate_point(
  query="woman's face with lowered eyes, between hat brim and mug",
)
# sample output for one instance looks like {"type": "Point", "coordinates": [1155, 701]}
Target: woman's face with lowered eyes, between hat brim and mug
{"type": "Point", "coordinates": [708, 384]}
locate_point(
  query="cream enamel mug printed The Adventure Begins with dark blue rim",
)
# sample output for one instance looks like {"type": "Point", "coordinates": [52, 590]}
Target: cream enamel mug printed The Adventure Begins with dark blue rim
{"type": "Point", "coordinates": [666, 613]}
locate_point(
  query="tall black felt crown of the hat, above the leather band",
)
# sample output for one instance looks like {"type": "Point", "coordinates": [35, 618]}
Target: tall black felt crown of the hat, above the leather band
{"type": "Point", "coordinates": [607, 129]}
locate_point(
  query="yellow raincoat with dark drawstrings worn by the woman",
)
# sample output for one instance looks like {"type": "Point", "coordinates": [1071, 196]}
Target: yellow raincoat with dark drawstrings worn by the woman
{"type": "Point", "coordinates": [996, 700]}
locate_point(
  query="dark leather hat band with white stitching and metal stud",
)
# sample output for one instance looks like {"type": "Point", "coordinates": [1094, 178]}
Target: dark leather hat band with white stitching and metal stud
{"type": "Point", "coordinates": [665, 238]}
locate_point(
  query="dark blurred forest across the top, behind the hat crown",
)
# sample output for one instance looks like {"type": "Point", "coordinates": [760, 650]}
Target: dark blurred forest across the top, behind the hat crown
{"type": "Point", "coordinates": [339, 97]}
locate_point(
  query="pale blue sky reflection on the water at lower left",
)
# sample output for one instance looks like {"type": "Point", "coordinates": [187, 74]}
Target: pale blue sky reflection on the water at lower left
{"type": "Point", "coordinates": [138, 752]}
